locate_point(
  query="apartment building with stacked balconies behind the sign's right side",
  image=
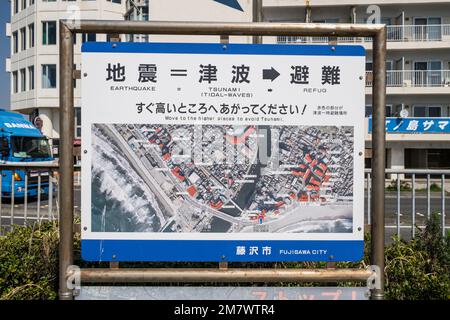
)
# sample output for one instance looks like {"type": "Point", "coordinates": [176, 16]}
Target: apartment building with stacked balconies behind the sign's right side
{"type": "Point", "coordinates": [418, 64]}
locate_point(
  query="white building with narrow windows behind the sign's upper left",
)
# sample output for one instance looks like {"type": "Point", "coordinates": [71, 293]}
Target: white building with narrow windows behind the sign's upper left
{"type": "Point", "coordinates": [34, 60]}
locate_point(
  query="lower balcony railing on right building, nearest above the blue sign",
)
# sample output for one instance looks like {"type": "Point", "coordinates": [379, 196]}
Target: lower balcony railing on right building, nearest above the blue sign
{"type": "Point", "coordinates": [413, 78]}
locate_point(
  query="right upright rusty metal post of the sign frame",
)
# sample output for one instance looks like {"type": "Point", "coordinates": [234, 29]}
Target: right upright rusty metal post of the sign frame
{"type": "Point", "coordinates": [378, 156]}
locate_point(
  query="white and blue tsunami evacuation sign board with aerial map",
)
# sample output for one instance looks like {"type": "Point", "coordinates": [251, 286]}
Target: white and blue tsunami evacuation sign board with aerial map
{"type": "Point", "coordinates": [210, 152]}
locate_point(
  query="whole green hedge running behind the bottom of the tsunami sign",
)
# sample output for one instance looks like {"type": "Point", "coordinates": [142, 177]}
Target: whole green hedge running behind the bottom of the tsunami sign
{"type": "Point", "coordinates": [418, 269]}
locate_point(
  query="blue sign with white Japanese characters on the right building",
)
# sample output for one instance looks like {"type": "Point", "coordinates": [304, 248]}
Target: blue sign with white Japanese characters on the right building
{"type": "Point", "coordinates": [415, 125]}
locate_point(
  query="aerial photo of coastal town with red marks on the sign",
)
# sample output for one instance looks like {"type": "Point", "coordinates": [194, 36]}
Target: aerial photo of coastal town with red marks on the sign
{"type": "Point", "coordinates": [222, 178]}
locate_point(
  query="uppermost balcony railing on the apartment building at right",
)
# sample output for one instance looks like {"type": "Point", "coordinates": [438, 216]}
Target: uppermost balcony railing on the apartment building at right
{"type": "Point", "coordinates": [395, 33]}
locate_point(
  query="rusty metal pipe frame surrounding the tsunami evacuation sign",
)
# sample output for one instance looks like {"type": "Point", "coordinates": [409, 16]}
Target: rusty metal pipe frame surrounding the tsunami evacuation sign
{"type": "Point", "coordinates": [69, 28]}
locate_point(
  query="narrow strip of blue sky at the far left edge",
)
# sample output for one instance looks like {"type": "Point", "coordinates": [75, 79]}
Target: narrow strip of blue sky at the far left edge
{"type": "Point", "coordinates": [4, 53]}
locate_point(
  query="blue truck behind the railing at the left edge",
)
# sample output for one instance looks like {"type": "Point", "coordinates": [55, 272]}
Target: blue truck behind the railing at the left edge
{"type": "Point", "coordinates": [21, 142]}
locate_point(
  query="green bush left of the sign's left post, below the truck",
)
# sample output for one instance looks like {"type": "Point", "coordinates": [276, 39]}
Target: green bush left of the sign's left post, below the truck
{"type": "Point", "coordinates": [29, 263]}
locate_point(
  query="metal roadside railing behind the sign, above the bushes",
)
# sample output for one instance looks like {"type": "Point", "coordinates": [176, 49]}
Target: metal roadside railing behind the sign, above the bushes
{"type": "Point", "coordinates": [410, 189]}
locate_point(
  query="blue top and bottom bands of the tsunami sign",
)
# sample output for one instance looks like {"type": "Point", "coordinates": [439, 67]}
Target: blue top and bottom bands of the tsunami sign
{"type": "Point", "coordinates": [221, 250]}
